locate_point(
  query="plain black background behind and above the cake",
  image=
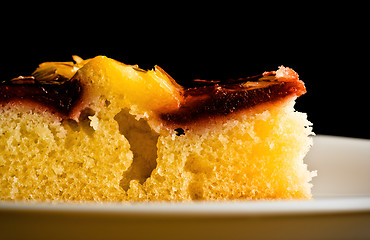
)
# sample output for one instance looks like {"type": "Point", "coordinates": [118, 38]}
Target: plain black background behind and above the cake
{"type": "Point", "coordinates": [327, 46]}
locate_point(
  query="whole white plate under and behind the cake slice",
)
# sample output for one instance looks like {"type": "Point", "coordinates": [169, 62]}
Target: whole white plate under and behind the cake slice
{"type": "Point", "coordinates": [341, 209]}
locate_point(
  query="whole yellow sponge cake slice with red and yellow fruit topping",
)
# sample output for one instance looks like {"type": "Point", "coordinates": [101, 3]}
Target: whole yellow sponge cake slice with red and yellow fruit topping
{"type": "Point", "coordinates": [101, 130]}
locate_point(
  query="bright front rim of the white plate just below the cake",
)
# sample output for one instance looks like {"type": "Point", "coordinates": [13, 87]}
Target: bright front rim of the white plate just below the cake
{"type": "Point", "coordinates": [203, 208]}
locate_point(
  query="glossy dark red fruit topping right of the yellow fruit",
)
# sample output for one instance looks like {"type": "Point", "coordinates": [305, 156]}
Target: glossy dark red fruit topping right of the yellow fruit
{"type": "Point", "coordinates": [221, 99]}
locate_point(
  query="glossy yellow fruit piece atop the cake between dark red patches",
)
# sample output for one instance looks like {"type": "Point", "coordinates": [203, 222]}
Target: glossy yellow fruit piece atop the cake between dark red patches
{"type": "Point", "coordinates": [146, 90]}
